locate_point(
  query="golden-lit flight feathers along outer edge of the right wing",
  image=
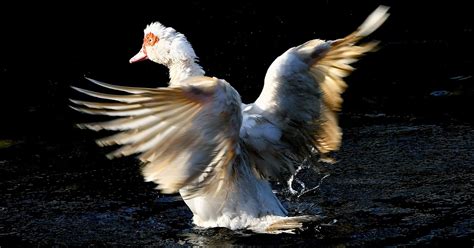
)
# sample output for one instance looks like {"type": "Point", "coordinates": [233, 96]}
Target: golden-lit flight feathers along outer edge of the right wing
{"type": "Point", "coordinates": [331, 67]}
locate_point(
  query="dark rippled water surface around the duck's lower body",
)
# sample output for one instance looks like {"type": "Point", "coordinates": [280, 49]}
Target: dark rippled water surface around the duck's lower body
{"type": "Point", "coordinates": [395, 183]}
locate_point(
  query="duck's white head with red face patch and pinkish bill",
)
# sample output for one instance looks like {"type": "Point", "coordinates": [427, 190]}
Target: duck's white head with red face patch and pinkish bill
{"type": "Point", "coordinates": [164, 45]}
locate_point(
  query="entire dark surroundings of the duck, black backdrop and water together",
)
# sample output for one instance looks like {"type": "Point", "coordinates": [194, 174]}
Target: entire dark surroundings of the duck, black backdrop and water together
{"type": "Point", "coordinates": [59, 188]}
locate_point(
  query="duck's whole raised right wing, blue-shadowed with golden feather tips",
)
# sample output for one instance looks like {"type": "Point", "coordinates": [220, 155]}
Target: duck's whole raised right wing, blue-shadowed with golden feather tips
{"type": "Point", "coordinates": [296, 112]}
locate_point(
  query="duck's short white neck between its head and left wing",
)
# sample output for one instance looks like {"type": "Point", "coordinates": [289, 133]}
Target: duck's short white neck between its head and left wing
{"type": "Point", "coordinates": [182, 69]}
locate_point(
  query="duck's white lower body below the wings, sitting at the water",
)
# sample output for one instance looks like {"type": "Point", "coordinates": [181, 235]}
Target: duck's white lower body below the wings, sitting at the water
{"type": "Point", "coordinates": [248, 203]}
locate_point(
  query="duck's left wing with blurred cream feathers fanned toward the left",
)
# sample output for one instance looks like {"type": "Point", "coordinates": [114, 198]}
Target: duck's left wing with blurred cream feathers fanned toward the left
{"type": "Point", "coordinates": [185, 136]}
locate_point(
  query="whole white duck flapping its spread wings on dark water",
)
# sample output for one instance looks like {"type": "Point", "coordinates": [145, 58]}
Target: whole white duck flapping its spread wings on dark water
{"type": "Point", "coordinates": [195, 137]}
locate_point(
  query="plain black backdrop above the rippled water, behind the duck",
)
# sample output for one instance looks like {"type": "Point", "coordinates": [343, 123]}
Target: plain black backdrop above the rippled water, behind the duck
{"type": "Point", "coordinates": [48, 47]}
